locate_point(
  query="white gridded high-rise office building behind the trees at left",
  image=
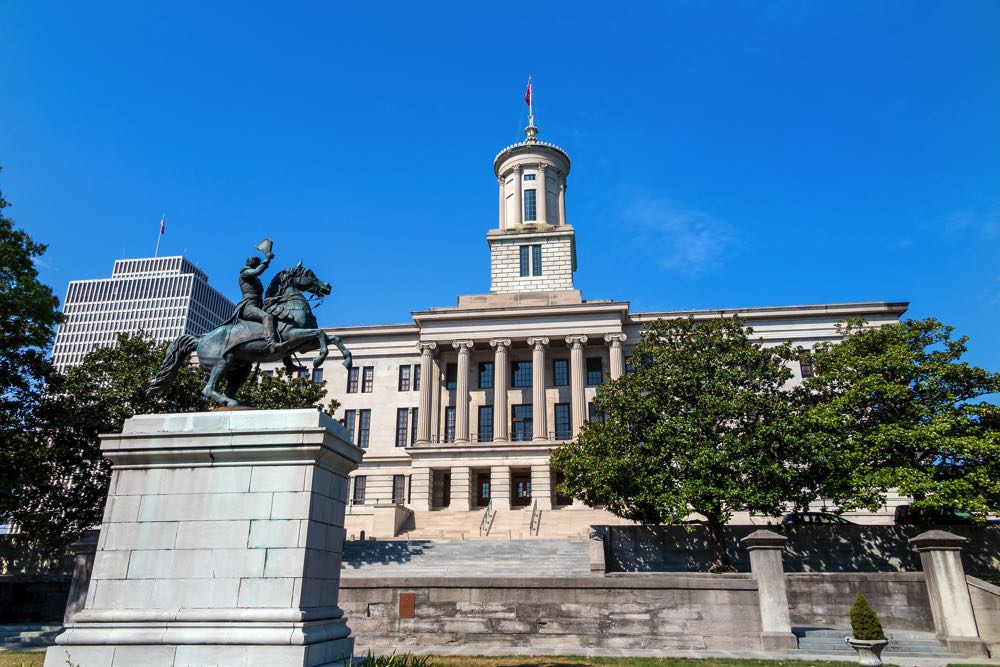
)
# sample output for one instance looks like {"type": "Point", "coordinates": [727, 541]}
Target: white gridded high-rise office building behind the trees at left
{"type": "Point", "coordinates": [163, 297]}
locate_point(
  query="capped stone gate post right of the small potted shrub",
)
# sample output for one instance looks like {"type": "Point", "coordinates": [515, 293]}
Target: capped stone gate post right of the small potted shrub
{"type": "Point", "coordinates": [948, 591]}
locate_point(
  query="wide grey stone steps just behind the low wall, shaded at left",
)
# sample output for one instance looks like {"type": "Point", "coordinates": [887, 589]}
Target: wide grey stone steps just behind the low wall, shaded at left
{"type": "Point", "coordinates": [466, 558]}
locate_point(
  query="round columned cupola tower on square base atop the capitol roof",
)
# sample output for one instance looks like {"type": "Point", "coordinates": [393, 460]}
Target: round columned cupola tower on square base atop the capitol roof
{"type": "Point", "coordinates": [532, 249]}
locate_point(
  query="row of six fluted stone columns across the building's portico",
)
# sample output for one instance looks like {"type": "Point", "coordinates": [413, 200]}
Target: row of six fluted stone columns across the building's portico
{"type": "Point", "coordinates": [538, 345]}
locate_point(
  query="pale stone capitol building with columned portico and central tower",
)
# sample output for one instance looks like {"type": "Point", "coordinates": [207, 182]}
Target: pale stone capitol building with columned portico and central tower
{"type": "Point", "coordinates": [461, 409]}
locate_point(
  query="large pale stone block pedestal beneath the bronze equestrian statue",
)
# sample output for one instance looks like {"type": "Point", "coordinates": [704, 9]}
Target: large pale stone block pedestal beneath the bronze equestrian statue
{"type": "Point", "coordinates": [220, 544]}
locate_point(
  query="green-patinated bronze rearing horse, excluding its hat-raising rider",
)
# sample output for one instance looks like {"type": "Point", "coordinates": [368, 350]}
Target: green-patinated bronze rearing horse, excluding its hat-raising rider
{"type": "Point", "coordinates": [229, 351]}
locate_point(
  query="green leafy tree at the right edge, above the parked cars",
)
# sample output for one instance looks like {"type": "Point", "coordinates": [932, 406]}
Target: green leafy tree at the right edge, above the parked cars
{"type": "Point", "coordinates": [896, 407]}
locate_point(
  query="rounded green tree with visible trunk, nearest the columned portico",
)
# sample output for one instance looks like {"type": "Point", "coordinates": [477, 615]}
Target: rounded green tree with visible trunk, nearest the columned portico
{"type": "Point", "coordinates": [702, 424]}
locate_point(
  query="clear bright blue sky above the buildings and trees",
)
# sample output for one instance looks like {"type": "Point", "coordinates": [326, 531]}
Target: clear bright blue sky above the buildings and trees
{"type": "Point", "coordinates": [724, 154]}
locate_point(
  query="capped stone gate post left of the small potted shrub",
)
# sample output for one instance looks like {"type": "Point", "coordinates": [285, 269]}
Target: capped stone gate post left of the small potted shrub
{"type": "Point", "coordinates": [765, 549]}
